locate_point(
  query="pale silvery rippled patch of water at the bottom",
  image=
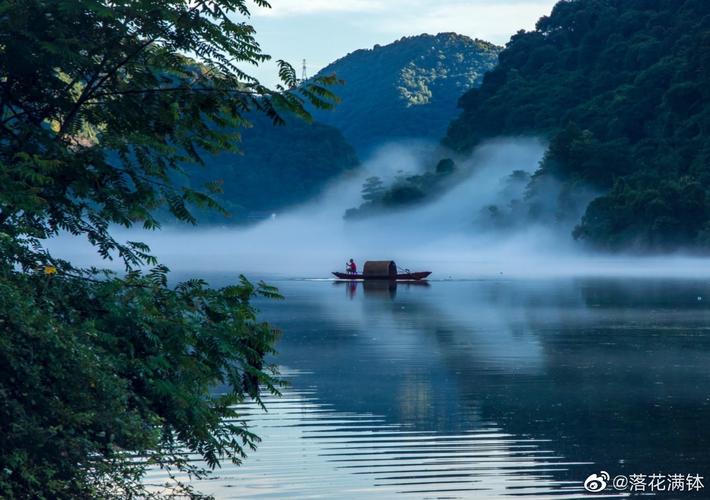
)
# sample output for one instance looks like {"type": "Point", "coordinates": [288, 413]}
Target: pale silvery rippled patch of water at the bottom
{"type": "Point", "coordinates": [309, 450]}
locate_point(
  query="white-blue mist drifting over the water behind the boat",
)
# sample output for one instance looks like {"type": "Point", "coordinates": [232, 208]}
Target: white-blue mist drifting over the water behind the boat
{"type": "Point", "coordinates": [444, 235]}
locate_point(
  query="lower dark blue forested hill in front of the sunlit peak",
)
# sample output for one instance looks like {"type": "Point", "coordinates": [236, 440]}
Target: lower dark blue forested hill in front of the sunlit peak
{"type": "Point", "coordinates": [279, 166]}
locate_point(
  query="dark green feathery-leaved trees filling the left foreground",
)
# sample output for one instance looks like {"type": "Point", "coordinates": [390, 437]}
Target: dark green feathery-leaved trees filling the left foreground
{"type": "Point", "coordinates": [101, 102]}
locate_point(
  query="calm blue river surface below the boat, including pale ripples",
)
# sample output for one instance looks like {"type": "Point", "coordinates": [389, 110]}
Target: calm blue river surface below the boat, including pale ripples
{"type": "Point", "coordinates": [481, 389]}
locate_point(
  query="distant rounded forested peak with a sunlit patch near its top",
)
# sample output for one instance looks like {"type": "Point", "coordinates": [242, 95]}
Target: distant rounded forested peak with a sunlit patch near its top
{"type": "Point", "coordinates": [407, 89]}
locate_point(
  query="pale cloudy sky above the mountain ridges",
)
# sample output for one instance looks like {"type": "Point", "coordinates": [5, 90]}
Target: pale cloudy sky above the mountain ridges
{"type": "Point", "coordinates": [322, 31]}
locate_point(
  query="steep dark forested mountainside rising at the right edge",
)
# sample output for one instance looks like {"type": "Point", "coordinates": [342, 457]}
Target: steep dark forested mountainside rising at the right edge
{"type": "Point", "coordinates": [621, 88]}
